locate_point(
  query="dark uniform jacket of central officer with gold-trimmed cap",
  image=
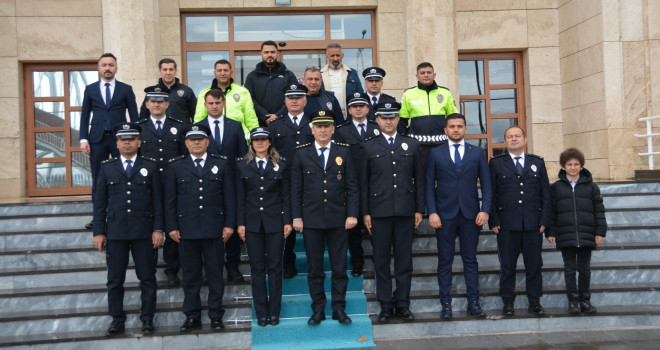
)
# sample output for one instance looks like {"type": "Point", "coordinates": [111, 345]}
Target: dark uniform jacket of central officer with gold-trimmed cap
{"type": "Point", "coordinates": [324, 198]}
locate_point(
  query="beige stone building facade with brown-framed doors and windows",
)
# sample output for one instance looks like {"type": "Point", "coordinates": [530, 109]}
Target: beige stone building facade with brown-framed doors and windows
{"type": "Point", "coordinates": [573, 73]}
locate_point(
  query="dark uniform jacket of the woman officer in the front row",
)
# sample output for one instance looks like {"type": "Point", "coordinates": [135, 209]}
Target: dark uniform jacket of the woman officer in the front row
{"type": "Point", "coordinates": [263, 199]}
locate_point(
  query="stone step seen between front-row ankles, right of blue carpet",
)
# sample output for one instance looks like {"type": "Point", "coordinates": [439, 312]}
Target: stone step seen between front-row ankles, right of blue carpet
{"type": "Point", "coordinates": [554, 296]}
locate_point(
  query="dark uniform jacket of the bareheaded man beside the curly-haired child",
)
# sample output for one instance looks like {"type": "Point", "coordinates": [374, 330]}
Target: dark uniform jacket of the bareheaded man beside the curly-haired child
{"type": "Point", "coordinates": [520, 202]}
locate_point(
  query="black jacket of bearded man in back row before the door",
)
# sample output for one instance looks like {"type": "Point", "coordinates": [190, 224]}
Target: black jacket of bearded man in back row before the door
{"type": "Point", "coordinates": [266, 86]}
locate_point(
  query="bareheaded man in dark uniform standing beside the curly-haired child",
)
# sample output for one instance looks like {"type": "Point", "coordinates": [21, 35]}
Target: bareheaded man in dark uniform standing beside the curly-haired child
{"type": "Point", "coordinates": [521, 212]}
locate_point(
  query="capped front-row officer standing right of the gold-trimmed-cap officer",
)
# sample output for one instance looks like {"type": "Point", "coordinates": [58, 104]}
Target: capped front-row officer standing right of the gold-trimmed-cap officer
{"type": "Point", "coordinates": [392, 203]}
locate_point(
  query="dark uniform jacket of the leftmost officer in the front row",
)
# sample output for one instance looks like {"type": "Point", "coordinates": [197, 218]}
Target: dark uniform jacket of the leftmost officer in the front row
{"type": "Point", "coordinates": [128, 208]}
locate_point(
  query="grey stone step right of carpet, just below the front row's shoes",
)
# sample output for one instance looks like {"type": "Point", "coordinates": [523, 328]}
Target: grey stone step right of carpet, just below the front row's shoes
{"type": "Point", "coordinates": [429, 323]}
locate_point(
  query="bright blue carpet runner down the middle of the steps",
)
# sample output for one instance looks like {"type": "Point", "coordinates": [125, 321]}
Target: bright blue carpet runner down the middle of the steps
{"type": "Point", "coordinates": [293, 332]}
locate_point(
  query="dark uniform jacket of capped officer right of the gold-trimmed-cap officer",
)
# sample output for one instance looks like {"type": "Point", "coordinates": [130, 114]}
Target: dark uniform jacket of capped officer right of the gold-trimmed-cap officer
{"type": "Point", "coordinates": [391, 180]}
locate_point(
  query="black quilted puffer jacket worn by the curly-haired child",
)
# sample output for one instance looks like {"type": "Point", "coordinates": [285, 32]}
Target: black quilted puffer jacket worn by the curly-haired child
{"type": "Point", "coordinates": [577, 215]}
